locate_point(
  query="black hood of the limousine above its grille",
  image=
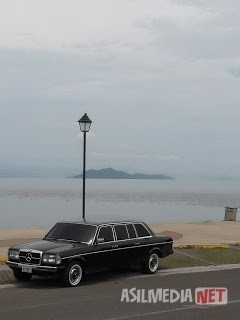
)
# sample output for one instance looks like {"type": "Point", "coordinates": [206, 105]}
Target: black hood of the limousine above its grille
{"type": "Point", "coordinates": [49, 245]}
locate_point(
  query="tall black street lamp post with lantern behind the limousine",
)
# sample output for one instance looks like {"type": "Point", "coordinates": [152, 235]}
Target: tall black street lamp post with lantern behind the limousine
{"type": "Point", "coordinates": [85, 124]}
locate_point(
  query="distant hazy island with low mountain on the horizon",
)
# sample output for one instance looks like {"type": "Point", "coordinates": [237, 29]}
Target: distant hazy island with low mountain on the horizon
{"type": "Point", "coordinates": [110, 173]}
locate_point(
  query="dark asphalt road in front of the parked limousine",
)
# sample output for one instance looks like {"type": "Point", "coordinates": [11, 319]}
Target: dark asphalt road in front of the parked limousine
{"type": "Point", "coordinates": [98, 298]}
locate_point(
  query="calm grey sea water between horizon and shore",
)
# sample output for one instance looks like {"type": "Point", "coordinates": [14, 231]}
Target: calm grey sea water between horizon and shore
{"type": "Point", "coordinates": [42, 202]}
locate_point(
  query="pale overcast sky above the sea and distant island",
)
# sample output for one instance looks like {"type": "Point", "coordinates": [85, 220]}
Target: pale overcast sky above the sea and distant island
{"type": "Point", "coordinates": [160, 79]}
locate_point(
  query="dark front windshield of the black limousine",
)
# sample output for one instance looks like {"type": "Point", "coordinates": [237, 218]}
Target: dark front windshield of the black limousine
{"type": "Point", "coordinates": [72, 231]}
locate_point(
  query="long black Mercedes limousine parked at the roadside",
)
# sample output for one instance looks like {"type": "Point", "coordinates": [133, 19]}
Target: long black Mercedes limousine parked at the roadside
{"type": "Point", "coordinates": [70, 249]}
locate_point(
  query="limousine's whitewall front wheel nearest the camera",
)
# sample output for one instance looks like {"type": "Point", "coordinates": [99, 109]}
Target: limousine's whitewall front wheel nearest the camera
{"type": "Point", "coordinates": [72, 275]}
